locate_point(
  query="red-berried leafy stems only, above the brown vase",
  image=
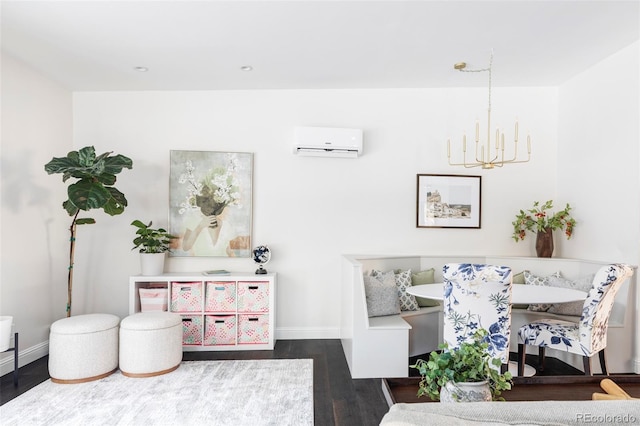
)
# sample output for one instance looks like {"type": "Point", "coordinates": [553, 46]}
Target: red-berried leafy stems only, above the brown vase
{"type": "Point", "coordinates": [537, 219]}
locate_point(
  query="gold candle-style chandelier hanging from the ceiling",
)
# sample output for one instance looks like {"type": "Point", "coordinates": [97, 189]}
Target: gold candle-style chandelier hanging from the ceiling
{"type": "Point", "coordinates": [486, 156]}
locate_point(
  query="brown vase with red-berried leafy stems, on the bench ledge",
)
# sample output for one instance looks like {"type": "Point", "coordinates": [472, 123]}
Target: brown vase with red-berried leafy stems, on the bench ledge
{"type": "Point", "coordinates": [538, 220]}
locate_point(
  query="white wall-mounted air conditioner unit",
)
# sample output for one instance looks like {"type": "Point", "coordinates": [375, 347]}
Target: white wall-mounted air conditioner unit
{"type": "Point", "coordinates": [327, 142]}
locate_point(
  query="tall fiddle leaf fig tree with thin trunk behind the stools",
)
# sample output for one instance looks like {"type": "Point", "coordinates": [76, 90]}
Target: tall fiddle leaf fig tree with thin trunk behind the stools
{"type": "Point", "coordinates": [92, 188]}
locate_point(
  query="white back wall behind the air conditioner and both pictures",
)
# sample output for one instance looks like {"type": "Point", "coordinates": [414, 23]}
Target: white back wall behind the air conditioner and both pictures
{"type": "Point", "coordinates": [309, 210]}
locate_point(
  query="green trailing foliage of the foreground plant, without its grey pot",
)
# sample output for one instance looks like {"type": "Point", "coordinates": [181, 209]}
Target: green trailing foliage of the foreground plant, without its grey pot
{"type": "Point", "coordinates": [470, 362]}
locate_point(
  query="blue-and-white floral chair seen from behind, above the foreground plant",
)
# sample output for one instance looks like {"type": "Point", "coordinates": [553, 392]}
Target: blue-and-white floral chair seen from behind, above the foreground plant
{"type": "Point", "coordinates": [478, 296]}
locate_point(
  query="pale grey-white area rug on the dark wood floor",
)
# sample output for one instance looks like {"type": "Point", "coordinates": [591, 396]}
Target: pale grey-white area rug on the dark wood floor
{"type": "Point", "coordinates": [234, 393]}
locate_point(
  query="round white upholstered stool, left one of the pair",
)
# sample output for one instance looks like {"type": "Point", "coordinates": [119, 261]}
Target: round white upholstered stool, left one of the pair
{"type": "Point", "coordinates": [83, 348]}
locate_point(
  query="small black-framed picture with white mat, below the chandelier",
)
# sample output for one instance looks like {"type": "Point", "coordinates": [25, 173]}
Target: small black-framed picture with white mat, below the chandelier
{"type": "Point", "coordinates": [448, 201]}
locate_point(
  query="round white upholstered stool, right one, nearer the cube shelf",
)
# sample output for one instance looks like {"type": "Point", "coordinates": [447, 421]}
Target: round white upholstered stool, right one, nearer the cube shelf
{"type": "Point", "coordinates": [150, 344]}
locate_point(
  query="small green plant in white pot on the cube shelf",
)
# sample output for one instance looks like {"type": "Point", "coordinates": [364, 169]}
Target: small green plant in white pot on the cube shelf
{"type": "Point", "coordinates": [152, 243]}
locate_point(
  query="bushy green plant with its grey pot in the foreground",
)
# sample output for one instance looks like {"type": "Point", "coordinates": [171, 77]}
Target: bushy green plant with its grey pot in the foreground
{"type": "Point", "coordinates": [465, 373]}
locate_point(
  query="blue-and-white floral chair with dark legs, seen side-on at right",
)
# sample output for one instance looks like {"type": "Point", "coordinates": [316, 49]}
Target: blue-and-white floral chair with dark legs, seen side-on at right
{"type": "Point", "coordinates": [589, 335]}
